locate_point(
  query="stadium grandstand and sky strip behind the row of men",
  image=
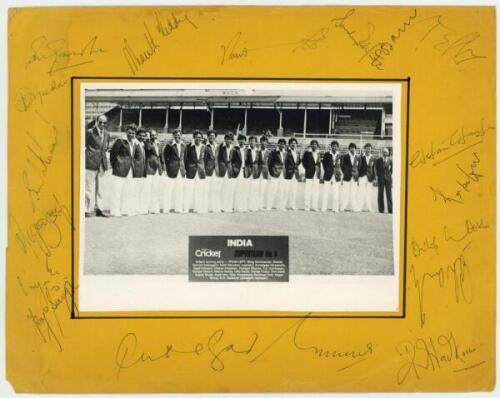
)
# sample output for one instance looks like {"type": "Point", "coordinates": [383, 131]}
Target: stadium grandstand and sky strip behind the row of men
{"type": "Point", "coordinates": [358, 117]}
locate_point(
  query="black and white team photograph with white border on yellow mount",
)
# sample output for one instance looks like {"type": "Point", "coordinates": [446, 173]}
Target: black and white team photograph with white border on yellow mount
{"type": "Point", "coordinates": [268, 184]}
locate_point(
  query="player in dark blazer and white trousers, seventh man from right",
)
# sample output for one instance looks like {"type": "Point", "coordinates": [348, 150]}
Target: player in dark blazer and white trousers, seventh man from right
{"type": "Point", "coordinates": [276, 177]}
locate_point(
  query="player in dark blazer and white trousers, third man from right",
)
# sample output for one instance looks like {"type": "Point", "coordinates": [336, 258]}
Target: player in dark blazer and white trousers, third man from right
{"type": "Point", "coordinates": [348, 191]}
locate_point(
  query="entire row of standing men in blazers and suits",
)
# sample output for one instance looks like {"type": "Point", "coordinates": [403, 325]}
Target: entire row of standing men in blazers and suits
{"type": "Point", "coordinates": [228, 177]}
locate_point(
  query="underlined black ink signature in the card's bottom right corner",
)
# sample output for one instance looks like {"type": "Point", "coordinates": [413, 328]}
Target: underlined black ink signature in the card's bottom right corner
{"type": "Point", "coordinates": [432, 354]}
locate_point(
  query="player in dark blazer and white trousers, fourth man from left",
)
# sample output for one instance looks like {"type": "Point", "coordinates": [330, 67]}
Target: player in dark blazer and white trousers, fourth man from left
{"type": "Point", "coordinates": [154, 169]}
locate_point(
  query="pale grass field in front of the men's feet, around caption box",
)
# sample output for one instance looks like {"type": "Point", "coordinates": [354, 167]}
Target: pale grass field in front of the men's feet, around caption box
{"type": "Point", "coordinates": [320, 243]}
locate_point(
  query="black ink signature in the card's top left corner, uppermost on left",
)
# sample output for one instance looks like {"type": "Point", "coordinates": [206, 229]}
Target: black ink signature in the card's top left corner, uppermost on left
{"type": "Point", "coordinates": [56, 53]}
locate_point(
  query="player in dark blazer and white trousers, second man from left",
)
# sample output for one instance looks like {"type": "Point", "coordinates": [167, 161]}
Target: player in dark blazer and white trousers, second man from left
{"type": "Point", "coordinates": [121, 159]}
